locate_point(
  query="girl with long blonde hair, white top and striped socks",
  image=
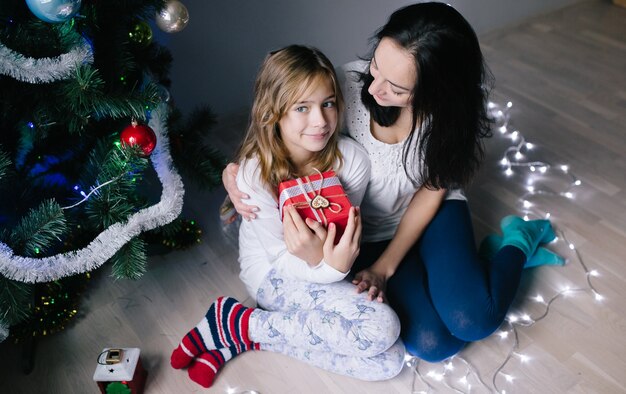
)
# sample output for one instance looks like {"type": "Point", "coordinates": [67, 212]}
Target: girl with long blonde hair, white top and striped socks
{"type": "Point", "coordinates": [293, 268]}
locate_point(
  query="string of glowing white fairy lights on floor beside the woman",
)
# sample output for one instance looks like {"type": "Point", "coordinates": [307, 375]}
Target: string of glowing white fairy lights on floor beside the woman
{"type": "Point", "coordinates": [459, 375]}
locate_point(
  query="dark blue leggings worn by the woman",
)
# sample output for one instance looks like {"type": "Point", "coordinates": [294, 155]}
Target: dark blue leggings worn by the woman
{"type": "Point", "coordinates": [444, 295]}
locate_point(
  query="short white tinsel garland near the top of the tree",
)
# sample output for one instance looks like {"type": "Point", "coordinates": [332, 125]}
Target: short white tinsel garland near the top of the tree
{"type": "Point", "coordinates": [28, 69]}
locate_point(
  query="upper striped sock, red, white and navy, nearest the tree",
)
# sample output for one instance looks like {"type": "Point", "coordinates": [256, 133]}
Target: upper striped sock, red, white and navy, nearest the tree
{"type": "Point", "coordinates": [225, 324]}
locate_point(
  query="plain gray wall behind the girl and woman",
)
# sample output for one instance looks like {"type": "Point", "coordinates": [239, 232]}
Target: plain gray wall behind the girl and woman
{"type": "Point", "coordinates": [216, 56]}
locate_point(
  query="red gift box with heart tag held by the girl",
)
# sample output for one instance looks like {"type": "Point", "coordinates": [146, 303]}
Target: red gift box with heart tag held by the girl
{"type": "Point", "coordinates": [320, 197]}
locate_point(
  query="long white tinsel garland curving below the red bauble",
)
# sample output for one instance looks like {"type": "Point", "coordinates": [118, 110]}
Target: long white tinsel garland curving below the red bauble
{"type": "Point", "coordinates": [107, 243]}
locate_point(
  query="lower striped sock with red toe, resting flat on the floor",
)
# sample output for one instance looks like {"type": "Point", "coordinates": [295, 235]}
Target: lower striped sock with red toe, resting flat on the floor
{"type": "Point", "coordinates": [204, 368]}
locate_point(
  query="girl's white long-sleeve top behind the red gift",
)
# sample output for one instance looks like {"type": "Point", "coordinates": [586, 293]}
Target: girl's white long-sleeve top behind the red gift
{"type": "Point", "coordinates": [261, 242]}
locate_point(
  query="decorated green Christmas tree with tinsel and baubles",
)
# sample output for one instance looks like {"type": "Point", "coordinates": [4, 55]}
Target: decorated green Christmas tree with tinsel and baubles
{"type": "Point", "coordinates": [87, 128]}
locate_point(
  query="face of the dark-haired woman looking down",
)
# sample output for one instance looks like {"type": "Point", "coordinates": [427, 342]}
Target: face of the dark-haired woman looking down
{"type": "Point", "coordinates": [394, 72]}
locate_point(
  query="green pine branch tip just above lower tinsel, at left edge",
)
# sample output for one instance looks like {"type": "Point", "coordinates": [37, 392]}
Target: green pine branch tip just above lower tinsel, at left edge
{"type": "Point", "coordinates": [38, 230]}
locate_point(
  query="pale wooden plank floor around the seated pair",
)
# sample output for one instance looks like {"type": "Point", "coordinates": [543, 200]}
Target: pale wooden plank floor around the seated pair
{"type": "Point", "coordinates": [565, 74]}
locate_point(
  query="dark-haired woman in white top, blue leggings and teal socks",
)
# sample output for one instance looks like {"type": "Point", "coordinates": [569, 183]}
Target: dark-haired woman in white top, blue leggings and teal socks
{"type": "Point", "coordinates": [417, 105]}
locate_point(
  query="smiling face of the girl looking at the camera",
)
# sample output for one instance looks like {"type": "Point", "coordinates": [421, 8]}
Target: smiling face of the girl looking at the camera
{"type": "Point", "coordinates": [308, 124]}
